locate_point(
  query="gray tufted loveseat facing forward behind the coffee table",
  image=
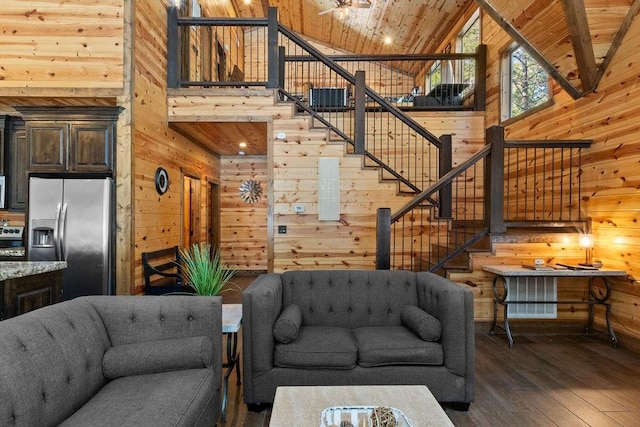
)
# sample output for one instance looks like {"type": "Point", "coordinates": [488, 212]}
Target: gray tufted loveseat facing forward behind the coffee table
{"type": "Point", "coordinates": [343, 327]}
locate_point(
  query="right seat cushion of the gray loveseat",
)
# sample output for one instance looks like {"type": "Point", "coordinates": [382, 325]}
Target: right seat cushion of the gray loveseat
{"type": "Point", "coordinates": [395, 345]}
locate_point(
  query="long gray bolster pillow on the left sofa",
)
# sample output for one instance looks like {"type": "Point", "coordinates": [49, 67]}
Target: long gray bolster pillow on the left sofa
{"type": "Point", "coordinates": [157, 356]}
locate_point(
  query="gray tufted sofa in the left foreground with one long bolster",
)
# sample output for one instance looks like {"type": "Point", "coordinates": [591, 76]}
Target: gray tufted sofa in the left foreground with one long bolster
{"type": "Point", "coordinates": [113, 361]}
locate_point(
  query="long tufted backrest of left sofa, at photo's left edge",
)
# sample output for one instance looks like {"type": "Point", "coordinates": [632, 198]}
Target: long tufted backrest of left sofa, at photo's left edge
{"type": "Point", "coordinates": [51, 363]}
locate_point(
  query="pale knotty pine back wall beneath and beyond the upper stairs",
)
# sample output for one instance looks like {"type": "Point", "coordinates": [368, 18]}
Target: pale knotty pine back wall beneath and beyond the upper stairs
{"type": "Point", "coordinates": [349, 242]}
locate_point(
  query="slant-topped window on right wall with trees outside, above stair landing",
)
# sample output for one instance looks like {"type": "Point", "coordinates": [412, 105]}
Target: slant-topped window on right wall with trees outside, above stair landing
{"type": "Point", "coordinates": [525, 83]}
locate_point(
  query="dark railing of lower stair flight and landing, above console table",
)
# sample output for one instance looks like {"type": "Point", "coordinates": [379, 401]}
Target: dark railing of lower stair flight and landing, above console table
{"type": "Point", "coordinates": [505, 184]}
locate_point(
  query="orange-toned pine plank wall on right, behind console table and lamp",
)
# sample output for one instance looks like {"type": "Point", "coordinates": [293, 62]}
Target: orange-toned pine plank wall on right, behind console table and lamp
{"type": "Point", "coordinates": [610, 177]}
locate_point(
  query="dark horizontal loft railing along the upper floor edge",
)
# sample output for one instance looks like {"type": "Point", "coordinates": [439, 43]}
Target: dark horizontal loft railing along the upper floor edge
{"type": "Point", "coordinates": [221, 52]}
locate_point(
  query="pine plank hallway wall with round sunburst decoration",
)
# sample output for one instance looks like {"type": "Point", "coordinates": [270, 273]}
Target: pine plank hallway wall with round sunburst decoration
{"type": "Point", "coordinates": [243, 230]}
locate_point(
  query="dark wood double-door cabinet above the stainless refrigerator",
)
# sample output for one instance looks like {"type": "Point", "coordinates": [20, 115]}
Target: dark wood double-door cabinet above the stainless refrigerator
{"type": "Point", "coordinates": [70, 139]}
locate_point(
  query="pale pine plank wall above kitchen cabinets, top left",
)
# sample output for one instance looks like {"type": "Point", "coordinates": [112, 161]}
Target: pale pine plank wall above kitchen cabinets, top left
{"type": "Point", "coordinates": [75, 45]}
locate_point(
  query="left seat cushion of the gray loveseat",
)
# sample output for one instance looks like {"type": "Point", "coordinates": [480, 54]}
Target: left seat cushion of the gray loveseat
{"type": "Point", "coordinates": [318, 347]}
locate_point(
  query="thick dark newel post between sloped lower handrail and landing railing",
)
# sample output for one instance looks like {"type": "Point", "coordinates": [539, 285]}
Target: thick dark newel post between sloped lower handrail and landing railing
{"type": "Point", "coordinates": [494, 181]}
